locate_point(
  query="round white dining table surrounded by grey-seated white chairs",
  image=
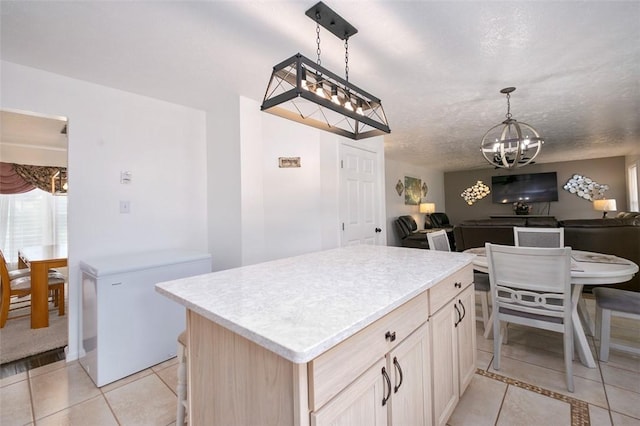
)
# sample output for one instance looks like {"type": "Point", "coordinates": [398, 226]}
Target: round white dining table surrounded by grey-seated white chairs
{"type": "Point", "coordinates": [587, 268]}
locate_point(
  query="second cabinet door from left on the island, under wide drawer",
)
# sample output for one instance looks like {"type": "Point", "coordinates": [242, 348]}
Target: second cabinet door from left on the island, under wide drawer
{"type": "Point", "coordinates": [410, 403]}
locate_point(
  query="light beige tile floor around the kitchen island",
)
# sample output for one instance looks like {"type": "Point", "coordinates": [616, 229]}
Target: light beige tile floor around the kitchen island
{"type": "Point", "coordinates": [529, 389]}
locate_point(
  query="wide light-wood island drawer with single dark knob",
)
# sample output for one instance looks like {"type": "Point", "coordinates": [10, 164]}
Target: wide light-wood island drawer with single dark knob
{"type": "Point", "coordinates": [332, 371]}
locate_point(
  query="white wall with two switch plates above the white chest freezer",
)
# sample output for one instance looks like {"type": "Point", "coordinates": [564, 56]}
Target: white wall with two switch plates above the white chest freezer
{"type": "Point", "coordinates": [162, 144]}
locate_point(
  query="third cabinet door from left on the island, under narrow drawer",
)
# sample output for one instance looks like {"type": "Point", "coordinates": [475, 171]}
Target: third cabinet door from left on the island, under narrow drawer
{"type": "Point", "coordinates": [444, 362]}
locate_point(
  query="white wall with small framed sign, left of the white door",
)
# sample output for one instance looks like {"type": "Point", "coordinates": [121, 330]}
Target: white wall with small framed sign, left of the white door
{"type": "Point", "coordinates": [287, 211]}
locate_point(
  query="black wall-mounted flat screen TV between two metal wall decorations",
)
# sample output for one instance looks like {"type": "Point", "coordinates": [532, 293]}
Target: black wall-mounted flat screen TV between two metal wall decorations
{"type": "Point", "coordinates": [532, 187]}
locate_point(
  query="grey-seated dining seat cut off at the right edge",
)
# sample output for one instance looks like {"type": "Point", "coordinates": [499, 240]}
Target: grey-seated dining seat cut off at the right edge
{"type": "Point", "coordinates": [614, 302]}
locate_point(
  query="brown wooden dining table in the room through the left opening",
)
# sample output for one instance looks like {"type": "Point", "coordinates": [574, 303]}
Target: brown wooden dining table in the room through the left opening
{"type": "Point", "coordinates": [40, 259]}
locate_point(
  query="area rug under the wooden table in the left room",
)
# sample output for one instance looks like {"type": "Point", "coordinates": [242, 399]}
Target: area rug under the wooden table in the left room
{"type": "Point", "coordinates": [18, 340]}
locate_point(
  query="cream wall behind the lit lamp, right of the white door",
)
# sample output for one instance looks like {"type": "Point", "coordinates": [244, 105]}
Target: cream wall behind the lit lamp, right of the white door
{"type": "Point", "coordinates": [396, 170]}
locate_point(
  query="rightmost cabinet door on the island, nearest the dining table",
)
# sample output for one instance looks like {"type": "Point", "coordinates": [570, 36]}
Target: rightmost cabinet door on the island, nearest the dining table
{"type": "Point", "coordinates": [466, 331]}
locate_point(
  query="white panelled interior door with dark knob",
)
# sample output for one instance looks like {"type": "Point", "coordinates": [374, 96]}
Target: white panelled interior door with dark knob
{"type": "Point", "coordinates": [359, 197]}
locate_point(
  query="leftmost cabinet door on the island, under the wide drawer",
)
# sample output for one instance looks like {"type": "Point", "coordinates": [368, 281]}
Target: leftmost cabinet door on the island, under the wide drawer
{"type": "Point", "coordinates": [358, 404]}
